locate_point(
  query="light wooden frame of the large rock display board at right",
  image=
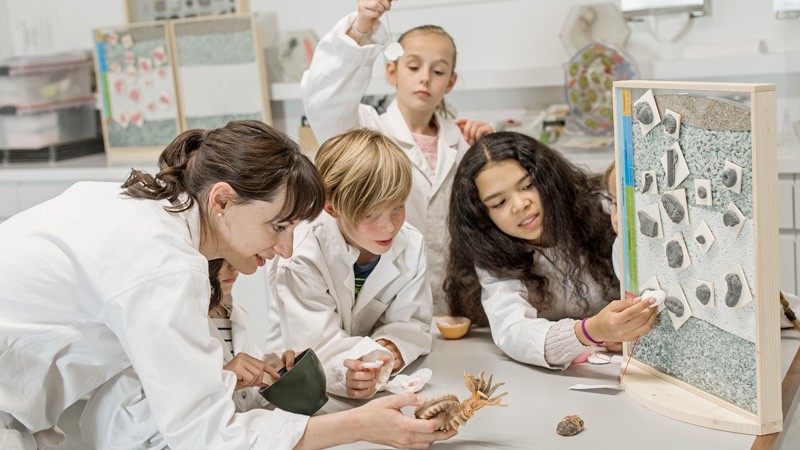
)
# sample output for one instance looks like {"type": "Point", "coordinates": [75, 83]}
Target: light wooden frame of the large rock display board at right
{"type": "Point", "coordinates": [661, 391]}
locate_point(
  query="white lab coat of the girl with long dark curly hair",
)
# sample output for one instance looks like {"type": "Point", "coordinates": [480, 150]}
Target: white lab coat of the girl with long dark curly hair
{"type": "Point", "coordinates": [517, 327]}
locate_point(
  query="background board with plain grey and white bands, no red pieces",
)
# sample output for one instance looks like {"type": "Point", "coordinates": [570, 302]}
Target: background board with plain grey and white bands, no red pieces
{"type": "Point", "coordinates": [219, 65]}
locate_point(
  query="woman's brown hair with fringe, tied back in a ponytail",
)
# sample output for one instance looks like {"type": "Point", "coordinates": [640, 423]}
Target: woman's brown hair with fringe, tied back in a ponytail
{"type": "Point", "coordinates": [256, 160]}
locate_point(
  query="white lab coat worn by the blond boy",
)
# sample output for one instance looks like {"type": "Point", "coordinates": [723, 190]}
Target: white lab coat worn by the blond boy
{"type": "Point", "coordinates": [316, 305]}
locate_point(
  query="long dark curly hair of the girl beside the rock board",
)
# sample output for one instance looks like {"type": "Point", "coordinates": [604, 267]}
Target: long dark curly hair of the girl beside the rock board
{"type": "Point", "coordinates": [576, 226]}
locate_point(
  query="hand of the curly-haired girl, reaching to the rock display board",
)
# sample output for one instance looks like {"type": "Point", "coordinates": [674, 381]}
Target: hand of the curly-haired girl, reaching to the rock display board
{"type": "Point", "coordinates": [621, 320]}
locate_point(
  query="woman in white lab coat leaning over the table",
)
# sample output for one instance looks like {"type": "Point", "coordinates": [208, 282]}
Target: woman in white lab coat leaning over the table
{"type": "Point", "coordinates": [100, 278]}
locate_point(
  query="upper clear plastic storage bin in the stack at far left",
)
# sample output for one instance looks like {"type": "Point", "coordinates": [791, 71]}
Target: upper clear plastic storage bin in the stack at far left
{"type": "Point", "coordinates": [32, 81]}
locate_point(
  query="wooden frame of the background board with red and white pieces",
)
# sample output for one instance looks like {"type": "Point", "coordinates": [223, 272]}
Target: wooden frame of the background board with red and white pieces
{"type": "Point", "coordinates": [143, 152]}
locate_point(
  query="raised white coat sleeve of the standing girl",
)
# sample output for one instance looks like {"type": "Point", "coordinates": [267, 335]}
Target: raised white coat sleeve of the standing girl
{"type": "Point", "coordinates": [338, 77]}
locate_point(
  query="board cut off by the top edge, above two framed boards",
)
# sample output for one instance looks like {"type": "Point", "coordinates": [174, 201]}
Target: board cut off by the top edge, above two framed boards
{"type": "Point", "coordinates": [149, 10]}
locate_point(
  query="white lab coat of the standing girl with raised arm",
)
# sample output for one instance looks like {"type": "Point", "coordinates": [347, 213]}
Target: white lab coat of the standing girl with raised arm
{"type": "Point", "coordinates": [332, 88]}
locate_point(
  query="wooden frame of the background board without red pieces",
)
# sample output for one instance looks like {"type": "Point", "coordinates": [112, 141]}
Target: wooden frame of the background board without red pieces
{"type": "Point", "coordinates": [201, 25]}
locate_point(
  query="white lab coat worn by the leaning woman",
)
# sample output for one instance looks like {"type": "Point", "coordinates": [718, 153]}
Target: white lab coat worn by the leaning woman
{"type": "Point", "coordinates": [95, 282]}
